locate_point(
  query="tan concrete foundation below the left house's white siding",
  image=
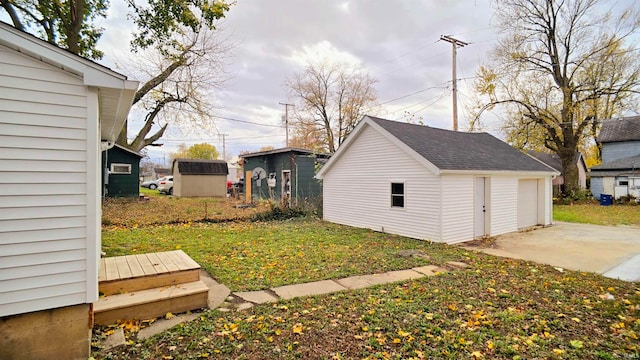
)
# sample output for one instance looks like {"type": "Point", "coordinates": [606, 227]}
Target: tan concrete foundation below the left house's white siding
{"type": "Point", "coordinates": [63, 333]}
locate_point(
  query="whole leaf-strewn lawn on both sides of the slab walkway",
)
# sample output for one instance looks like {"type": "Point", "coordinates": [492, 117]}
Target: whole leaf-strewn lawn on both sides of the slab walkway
{"type": "Point", "coordinates": [496, 309]}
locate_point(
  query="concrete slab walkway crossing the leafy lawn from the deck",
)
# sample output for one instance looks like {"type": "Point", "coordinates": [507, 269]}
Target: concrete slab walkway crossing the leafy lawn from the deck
{"type": "Point", "coordinates": [221, 298]}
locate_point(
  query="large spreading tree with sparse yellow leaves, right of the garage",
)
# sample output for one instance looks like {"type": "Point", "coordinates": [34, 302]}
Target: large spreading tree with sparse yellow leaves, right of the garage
{"type": "Point", "coordinates": [564, 67]}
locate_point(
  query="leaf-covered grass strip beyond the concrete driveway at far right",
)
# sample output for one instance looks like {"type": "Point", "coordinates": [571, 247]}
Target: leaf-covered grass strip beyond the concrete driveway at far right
{"type": "Point", "coordinates": [593, 213]}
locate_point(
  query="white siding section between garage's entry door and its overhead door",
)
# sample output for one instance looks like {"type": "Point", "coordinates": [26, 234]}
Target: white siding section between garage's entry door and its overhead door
{"type": "Point", "coordinates": [503, 205]}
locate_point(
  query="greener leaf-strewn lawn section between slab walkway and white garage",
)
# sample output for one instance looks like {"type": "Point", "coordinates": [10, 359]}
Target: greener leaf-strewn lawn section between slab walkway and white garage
{"type": "Point", "coordinates": [259, 255]}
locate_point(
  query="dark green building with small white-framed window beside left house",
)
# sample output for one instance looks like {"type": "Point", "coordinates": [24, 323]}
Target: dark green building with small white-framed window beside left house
{"type": "Point", "coordinates": [121, 172]}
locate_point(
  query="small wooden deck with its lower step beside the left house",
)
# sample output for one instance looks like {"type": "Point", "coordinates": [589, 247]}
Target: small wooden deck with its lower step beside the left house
{"type": "Point", "coordinates": [148, 285]}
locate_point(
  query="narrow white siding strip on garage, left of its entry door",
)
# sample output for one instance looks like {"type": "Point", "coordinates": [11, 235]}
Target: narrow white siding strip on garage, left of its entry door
{"type": "Point", "coordinates": [457, 208]}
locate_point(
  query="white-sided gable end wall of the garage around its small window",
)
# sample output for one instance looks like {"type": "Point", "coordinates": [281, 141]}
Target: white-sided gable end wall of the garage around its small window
{"type": "Point", "coordinates": [357, 189]}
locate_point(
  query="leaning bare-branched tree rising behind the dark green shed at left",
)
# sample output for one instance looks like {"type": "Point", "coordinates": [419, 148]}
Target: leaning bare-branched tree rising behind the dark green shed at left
{"type": "Point", "coordinates": [178, 86]}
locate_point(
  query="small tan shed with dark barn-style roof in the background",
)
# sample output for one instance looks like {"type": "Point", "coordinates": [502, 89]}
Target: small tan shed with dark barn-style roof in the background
{"type": "Point", "coordinates": [200, 178]}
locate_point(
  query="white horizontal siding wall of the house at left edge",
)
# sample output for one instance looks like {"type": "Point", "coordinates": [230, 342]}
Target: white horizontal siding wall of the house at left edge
{"type": "Point", "coordinates": [44, 206]}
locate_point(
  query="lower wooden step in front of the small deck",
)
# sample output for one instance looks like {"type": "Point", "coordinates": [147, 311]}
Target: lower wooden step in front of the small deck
{"type": "Point", "coordinates": [150, 303]}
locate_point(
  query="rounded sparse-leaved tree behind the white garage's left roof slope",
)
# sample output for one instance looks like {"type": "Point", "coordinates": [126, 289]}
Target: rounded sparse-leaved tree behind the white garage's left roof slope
{"type": "Point", "coordinates": [330, 99]}
